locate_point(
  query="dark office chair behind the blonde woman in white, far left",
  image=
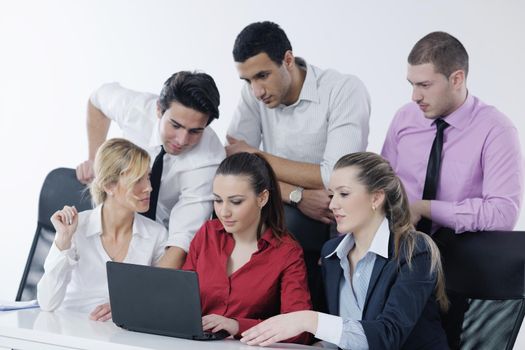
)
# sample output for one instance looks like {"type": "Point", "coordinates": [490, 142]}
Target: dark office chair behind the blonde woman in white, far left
{"type": "Point", "coordinates": [60, 188]}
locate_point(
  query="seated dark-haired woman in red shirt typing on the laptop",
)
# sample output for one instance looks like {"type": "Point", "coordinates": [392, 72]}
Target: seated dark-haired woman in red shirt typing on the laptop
{"type": "Point", "coordinates": [250, 268]}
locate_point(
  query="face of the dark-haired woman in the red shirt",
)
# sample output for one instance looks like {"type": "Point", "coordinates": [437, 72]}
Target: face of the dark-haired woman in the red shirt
{"type": "Point", "coordinates": [236, 204]}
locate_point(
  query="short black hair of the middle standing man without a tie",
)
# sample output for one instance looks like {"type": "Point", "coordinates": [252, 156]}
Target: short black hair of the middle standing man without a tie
{"type": "Point", "coordinates": [261, 37]}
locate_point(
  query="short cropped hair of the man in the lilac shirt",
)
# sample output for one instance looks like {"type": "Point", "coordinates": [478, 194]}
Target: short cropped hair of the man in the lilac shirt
{"type": "Point", "coordinates": [445, 52]}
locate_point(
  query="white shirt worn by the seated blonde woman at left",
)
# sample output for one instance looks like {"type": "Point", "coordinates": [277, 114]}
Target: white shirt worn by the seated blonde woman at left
{"type": "Point", "coordinates": [75, 279]}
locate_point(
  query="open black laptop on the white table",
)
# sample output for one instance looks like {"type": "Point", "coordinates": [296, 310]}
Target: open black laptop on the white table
{"type": "Point", "coordinates": [157, 300]}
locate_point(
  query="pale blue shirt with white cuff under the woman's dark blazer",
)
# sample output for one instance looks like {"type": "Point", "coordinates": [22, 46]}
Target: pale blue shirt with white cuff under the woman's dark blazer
{"type": "Point", "coordinates": [345, 330]}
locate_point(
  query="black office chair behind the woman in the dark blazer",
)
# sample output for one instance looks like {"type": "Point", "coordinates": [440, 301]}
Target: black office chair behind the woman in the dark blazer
{"type": "Point", "coordinates": [485, 278]}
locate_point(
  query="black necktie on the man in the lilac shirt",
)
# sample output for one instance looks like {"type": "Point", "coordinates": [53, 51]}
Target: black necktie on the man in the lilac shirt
{"type": "Point", "coordinates": [433, 170]}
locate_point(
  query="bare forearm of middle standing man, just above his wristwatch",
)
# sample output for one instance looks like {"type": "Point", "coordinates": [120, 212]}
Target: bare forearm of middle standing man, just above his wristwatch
{"type": "Point", "coordinates": [307, 175]}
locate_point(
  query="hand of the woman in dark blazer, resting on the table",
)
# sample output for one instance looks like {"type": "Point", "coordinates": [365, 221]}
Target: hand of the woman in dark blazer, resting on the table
{"type": "Point", "coordinates": [281, 327]}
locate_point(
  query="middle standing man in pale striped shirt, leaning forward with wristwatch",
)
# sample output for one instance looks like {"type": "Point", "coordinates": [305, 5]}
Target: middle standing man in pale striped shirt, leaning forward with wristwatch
{"type": "Point", "coordinates": [306, 118]}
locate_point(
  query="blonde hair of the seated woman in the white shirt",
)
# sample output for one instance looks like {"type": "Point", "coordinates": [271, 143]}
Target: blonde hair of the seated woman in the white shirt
{"type": "Point", "coordinates": [117, 159]}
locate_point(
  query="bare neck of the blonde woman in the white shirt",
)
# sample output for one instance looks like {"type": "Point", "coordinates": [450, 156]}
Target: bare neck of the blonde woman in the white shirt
{"type": "Point", "coordinates": [116, 221]}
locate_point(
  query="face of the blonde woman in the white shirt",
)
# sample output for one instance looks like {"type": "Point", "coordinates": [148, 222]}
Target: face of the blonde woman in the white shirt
{"type": "Point", "coordinates": [137, 199]}
